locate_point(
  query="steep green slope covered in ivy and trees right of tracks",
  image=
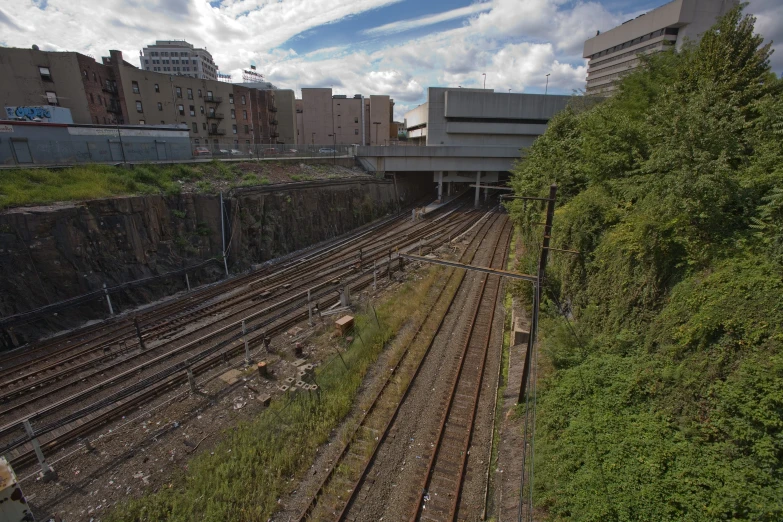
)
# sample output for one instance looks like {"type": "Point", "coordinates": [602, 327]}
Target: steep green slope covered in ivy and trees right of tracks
{"type": "Point", "coordinates": [665, 402]}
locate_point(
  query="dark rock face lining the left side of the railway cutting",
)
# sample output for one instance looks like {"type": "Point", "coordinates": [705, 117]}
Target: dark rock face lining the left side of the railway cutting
{"type": "Point", "coordinates": [49, 254]}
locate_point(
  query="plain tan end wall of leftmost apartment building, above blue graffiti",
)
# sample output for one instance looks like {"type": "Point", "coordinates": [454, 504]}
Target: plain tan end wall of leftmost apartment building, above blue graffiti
{"type": "Point", "coordinates": [21, 82]}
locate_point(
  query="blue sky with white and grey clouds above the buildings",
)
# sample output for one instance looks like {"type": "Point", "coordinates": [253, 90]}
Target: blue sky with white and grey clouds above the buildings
{"type": "Point", "coordinates": [395, 47]}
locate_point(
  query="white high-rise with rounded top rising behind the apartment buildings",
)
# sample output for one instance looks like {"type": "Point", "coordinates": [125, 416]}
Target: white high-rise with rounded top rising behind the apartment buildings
{"type": "Point", "coordinates": [179, 58]}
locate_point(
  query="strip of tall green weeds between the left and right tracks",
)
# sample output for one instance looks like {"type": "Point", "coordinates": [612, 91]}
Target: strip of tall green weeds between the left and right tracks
{"type": "Point", "coordinates": [245, 474]}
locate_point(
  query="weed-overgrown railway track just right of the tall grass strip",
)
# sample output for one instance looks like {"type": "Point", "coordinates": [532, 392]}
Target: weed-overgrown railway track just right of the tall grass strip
{"type": "Point", "coordinates": [375, 424]}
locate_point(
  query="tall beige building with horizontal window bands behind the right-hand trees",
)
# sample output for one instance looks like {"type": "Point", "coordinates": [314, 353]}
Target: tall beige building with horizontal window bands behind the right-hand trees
{"type": "Point", "coordinates": [614, 53]}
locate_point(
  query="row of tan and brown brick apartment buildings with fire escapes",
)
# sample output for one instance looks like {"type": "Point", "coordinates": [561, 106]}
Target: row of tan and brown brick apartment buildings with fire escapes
{"type": "Point", "coordinates": [113, 91]}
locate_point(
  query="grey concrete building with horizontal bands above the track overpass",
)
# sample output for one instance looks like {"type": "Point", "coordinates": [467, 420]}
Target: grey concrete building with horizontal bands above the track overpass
{"type": "Point", "coordinates": [481, 117]}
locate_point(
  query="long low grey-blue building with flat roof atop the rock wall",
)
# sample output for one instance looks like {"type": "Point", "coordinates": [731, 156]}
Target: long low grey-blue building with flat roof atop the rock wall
{"type": "Point", "coordinates": [33, 143]}
